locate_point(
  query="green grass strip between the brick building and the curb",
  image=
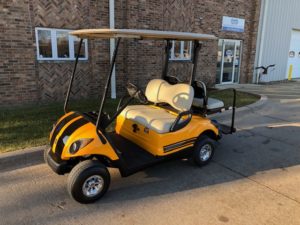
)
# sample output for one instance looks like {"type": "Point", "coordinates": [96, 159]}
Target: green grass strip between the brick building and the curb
{"type": "Point", "coordinates": [29, 126]}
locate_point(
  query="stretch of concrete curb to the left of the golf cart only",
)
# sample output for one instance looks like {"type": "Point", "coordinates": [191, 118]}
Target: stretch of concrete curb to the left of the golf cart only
{"type": "Point", "coordinates": [21, 158]}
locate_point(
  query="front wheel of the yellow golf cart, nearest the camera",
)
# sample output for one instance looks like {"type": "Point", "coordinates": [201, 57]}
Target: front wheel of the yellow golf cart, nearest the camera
{"type": "Point", "coordinates": [81, 173]}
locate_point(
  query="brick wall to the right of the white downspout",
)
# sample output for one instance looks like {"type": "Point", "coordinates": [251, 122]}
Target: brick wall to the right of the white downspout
{"type": "Point", "coordinates": [203, 16]}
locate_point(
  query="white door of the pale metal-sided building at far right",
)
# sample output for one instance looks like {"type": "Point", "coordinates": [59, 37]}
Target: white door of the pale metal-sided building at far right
{"type": "Point", "coordinates": [293, 69]}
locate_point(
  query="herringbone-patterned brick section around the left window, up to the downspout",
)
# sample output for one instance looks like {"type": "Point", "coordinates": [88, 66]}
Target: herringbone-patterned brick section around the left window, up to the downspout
{"type": "Point", "coordinates": [53, 76]}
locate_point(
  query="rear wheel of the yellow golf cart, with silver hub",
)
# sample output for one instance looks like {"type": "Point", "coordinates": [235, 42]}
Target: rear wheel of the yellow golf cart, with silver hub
{"type": "Point", "coordinates": [204, 143]}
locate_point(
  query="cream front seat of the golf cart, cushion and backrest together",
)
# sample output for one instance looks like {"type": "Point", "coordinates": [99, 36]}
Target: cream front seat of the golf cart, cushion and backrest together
{"type": "Point", "coordinates": [179, 96]}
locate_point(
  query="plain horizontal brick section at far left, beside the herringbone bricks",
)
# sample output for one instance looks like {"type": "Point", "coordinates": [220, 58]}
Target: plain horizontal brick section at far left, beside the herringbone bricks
{"type": "Point", "coordinates": [18, 81]}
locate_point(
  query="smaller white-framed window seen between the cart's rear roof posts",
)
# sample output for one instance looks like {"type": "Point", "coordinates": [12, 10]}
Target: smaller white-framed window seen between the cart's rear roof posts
{"type": "Point", "coordinates": [181, 50]}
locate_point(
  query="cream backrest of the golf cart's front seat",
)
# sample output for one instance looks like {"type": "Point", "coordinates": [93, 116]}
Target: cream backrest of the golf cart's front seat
{"type": "Point", "coordinates": [179, 96]}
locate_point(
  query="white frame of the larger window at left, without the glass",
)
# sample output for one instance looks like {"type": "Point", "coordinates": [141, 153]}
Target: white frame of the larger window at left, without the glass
{"type": "Point", "coordinates": [54, 47]}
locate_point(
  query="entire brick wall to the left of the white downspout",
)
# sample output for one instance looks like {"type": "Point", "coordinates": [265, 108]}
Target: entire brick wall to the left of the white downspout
{"type": "Point", "coordinates": [23, 79]}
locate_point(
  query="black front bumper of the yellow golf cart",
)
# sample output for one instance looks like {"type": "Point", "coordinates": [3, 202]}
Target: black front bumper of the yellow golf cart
{"type": "Point", "coordinates": [57, 165]}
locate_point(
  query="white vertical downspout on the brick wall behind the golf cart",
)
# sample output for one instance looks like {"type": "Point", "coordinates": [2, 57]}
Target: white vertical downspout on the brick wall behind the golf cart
{"type": "Point", "coordinates": [112, 46]}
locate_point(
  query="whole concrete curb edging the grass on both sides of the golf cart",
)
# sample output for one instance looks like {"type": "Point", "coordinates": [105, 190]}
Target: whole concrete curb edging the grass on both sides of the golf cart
{"type": "Point", "coordinates": [32, 156]}
